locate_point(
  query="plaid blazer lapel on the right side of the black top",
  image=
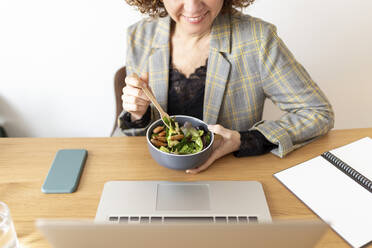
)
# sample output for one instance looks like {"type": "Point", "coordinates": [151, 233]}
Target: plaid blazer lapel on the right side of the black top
{"type": "Point", "coordinates": [218, 69]}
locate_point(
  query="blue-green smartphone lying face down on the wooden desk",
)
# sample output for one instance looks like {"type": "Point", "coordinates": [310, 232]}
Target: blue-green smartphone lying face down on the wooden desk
{"type": "Point", "coordinates": [65, 171]}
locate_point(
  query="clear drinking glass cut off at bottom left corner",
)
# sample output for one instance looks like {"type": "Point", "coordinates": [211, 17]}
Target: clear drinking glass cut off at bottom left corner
{"type": "Point", "coordinates": [8, 236]}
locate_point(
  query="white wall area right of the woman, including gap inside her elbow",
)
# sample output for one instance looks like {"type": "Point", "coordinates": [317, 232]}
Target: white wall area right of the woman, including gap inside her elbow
{"type": "Point", "coordinates": [332, 39]}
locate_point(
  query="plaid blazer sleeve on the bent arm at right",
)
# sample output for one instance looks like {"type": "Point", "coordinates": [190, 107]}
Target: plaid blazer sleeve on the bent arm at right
{"type": "Point", "coordinates": [308, 112]}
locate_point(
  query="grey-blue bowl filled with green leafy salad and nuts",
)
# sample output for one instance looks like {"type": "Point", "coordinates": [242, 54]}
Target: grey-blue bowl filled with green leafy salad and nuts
{"type": "Point", "coordinates": [185, 144]}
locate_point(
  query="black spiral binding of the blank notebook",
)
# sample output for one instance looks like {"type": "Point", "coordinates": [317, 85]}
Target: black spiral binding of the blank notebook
{"type": "Point", "coordinates": [348, 170]}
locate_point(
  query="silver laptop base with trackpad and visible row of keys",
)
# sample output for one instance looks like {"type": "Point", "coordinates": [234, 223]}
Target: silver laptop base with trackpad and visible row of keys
{"type": "Point", "coordinates": [169, 202]}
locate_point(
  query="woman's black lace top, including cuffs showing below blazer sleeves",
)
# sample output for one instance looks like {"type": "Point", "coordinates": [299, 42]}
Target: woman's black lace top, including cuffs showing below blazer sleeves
{"type": "Point", "coordinates": [186, 97]}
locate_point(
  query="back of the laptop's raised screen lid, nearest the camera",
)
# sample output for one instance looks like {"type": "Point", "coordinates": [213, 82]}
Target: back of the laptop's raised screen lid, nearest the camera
{"type": "Point", "coordinates": [81, 234]}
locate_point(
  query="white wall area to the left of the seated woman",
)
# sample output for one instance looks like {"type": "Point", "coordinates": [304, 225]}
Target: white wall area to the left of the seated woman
{"type": "Point", "coordinates": [57, 62]}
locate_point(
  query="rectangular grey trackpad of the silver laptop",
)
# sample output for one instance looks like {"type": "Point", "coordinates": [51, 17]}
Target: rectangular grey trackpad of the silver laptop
{"type": "Point", "coordinates": [182, 197]}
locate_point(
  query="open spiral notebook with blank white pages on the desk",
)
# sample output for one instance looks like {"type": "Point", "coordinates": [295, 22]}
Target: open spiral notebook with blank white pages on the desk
{"type": "Point", "coordinates": [337, 186]}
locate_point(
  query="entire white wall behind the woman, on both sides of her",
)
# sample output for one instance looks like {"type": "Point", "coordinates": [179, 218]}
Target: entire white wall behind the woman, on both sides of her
{"type": "Point", "coordinates": [58, 59]}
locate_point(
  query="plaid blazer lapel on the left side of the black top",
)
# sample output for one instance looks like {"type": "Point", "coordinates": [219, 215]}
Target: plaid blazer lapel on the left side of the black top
{"type": "Point", "coordinates": [159, 62]}
